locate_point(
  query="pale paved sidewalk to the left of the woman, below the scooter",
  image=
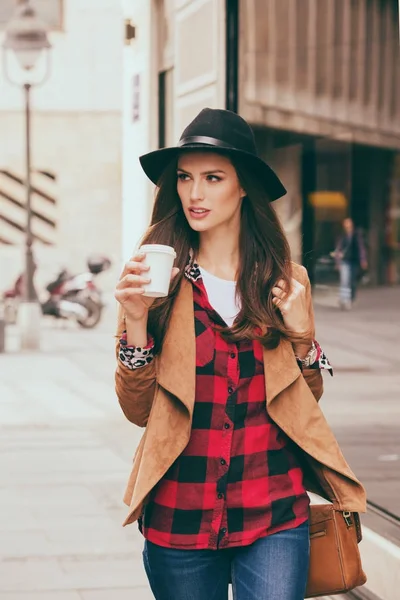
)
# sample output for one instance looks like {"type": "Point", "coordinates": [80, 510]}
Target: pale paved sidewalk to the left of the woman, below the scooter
{"type": "Point", "coordinates": [65, 455]}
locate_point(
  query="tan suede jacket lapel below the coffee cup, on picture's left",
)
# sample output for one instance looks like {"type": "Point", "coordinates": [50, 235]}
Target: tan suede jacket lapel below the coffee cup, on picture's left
{"type": "Point", "coordinates": [176, 371]}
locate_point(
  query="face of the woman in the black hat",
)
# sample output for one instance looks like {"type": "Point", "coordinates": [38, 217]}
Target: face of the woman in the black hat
{"type": "Point", "coordinates": [209, 189]}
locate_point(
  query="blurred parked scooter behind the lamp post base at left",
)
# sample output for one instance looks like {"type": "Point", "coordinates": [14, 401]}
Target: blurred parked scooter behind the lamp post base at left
{"type": "Point", "coordinates": [72, 297]}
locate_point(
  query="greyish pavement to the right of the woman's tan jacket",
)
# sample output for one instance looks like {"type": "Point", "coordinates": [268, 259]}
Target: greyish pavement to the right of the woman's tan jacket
{"type": "Point", "coordinates": [361, 400]}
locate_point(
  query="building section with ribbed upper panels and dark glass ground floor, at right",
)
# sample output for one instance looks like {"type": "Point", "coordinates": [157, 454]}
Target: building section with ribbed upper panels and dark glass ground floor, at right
{"type": "Point", "coordinates": [320, 81]}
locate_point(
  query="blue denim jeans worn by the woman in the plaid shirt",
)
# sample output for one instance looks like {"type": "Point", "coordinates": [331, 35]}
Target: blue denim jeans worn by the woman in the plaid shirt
{"type": "Point", "coordinates": [272, 568]}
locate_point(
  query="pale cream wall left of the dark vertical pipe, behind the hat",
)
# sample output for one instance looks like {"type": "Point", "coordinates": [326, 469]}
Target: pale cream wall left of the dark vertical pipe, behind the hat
{"type": "Point", "coordinates": [173, 67]}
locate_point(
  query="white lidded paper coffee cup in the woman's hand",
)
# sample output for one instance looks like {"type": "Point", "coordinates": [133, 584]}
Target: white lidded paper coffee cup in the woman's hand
{"type": "Point", "coordinates": [160, 259]}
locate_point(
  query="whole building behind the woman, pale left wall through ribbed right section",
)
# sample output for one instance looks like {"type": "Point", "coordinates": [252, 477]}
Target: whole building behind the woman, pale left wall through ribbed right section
{"type": "Point", "coordinates": [318, 80]}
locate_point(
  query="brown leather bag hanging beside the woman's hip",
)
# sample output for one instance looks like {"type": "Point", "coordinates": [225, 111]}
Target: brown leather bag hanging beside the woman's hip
{"type": "Point", "coordinates": [335, 562]}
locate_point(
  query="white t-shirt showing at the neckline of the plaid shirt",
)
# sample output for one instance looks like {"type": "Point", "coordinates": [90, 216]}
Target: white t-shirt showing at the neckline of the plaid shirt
{"type": "Point", "coordinates": [221, 295]}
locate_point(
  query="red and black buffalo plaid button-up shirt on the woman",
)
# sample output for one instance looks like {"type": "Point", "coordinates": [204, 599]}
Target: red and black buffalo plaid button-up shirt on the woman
{"type": "Point", "coordinates": [239, 478]}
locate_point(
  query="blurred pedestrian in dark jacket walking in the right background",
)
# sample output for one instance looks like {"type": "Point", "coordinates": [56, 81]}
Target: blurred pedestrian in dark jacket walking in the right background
{"type": "Point", "coordinates": [351, 260]}
